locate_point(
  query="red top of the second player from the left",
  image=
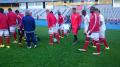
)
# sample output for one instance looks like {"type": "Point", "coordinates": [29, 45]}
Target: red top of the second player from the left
{"type": "Point", "coordinates": [12, 17]}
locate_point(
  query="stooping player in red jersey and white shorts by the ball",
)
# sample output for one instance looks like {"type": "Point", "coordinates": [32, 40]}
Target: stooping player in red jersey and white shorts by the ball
{"type": "Point", "coordinates": [53, 30]}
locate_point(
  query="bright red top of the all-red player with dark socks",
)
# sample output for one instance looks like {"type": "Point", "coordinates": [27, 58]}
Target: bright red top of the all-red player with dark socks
{"type": "Point", "coordinates": [75, 20]}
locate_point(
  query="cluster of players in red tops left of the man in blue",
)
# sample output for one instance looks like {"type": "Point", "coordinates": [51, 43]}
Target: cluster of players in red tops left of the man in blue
{"type": "Point", "coordinates": [8, 26]}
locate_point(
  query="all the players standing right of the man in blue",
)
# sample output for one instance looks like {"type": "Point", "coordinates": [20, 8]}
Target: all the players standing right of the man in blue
{"type": "Point", "coordinates": [94, 27]}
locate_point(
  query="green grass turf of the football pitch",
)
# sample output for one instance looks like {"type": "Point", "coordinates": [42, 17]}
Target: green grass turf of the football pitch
{"type": "Point", "coordinates": [62, 55]}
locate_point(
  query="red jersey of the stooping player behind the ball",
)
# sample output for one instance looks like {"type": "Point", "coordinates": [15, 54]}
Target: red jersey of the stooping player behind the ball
{"type": "Point", "coordinates": [51, 19]}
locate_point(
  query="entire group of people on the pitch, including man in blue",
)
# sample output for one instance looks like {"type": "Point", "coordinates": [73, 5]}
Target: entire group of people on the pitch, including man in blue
{"type": "Point", "coordinates": [94, 27]}
